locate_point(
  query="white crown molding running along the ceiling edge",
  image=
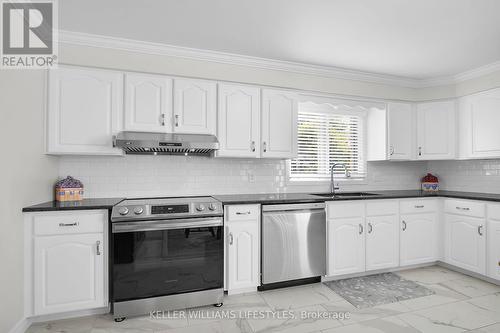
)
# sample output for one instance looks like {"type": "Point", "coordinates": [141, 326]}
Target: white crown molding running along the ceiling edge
{"type": "Point", "coordinates": [93, 40]}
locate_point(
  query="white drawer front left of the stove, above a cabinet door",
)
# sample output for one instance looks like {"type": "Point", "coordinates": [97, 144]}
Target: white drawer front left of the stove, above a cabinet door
{"type": "Point", "coordinates": [70, 222]}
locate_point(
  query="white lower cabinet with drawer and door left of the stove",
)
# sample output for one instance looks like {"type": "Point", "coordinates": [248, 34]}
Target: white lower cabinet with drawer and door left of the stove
{"type": "Point", "coordinates": [66, 262]}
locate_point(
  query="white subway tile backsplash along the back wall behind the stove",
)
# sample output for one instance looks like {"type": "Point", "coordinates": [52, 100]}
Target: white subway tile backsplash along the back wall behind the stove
{"type": "Point", "coordinates": [143, 176]}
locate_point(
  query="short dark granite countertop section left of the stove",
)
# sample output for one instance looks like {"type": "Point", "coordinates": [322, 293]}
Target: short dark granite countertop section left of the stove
{"type": "Point", "coordinates": [85, 204]}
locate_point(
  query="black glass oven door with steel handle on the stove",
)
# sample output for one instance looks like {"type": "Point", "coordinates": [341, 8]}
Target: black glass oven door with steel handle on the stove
{"type": "Point", "coordinates": [159, 258]}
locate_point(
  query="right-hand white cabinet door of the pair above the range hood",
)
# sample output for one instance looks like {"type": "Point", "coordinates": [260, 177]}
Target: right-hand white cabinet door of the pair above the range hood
{"type": "Point", "coordinates": [195, 103]}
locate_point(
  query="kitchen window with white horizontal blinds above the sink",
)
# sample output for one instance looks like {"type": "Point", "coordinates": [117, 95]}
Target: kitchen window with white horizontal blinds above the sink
{"type": "Point", "coordinates": [329, 133]}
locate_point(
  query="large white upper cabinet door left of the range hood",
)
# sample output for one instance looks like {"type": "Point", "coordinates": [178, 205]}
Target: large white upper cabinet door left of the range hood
{"type": "Point", "coordinates": [84, 111]}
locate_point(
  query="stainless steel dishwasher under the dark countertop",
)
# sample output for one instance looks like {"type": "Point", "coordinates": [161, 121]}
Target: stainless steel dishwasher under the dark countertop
{"type": "Point", "coordinates": [293, 242]}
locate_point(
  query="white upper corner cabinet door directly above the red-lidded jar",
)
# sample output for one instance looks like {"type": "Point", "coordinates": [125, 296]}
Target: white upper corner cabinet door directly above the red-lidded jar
{"type": "Point", "coordinates": [436, 128]}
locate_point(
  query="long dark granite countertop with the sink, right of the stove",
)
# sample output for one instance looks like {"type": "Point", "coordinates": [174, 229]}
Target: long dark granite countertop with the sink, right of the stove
{"type": "Point", "coordinates": [276, 198]}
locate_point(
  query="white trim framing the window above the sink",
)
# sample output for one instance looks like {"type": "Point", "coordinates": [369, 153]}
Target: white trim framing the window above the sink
{"type": "Point", "coordinates": [360, 109]}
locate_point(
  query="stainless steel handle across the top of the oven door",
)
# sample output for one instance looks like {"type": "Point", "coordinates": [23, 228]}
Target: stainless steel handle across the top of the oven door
{"type": "Point", "coordinates": [119, 227]}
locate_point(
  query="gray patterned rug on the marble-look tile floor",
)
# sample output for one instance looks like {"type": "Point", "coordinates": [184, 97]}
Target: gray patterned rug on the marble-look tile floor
{"type": "Point", "coordinates": [378, 289]}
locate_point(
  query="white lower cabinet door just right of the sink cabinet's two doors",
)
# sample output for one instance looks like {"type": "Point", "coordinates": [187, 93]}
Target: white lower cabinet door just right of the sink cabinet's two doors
{"type": "Point", "coordinates": [418, 239]}
